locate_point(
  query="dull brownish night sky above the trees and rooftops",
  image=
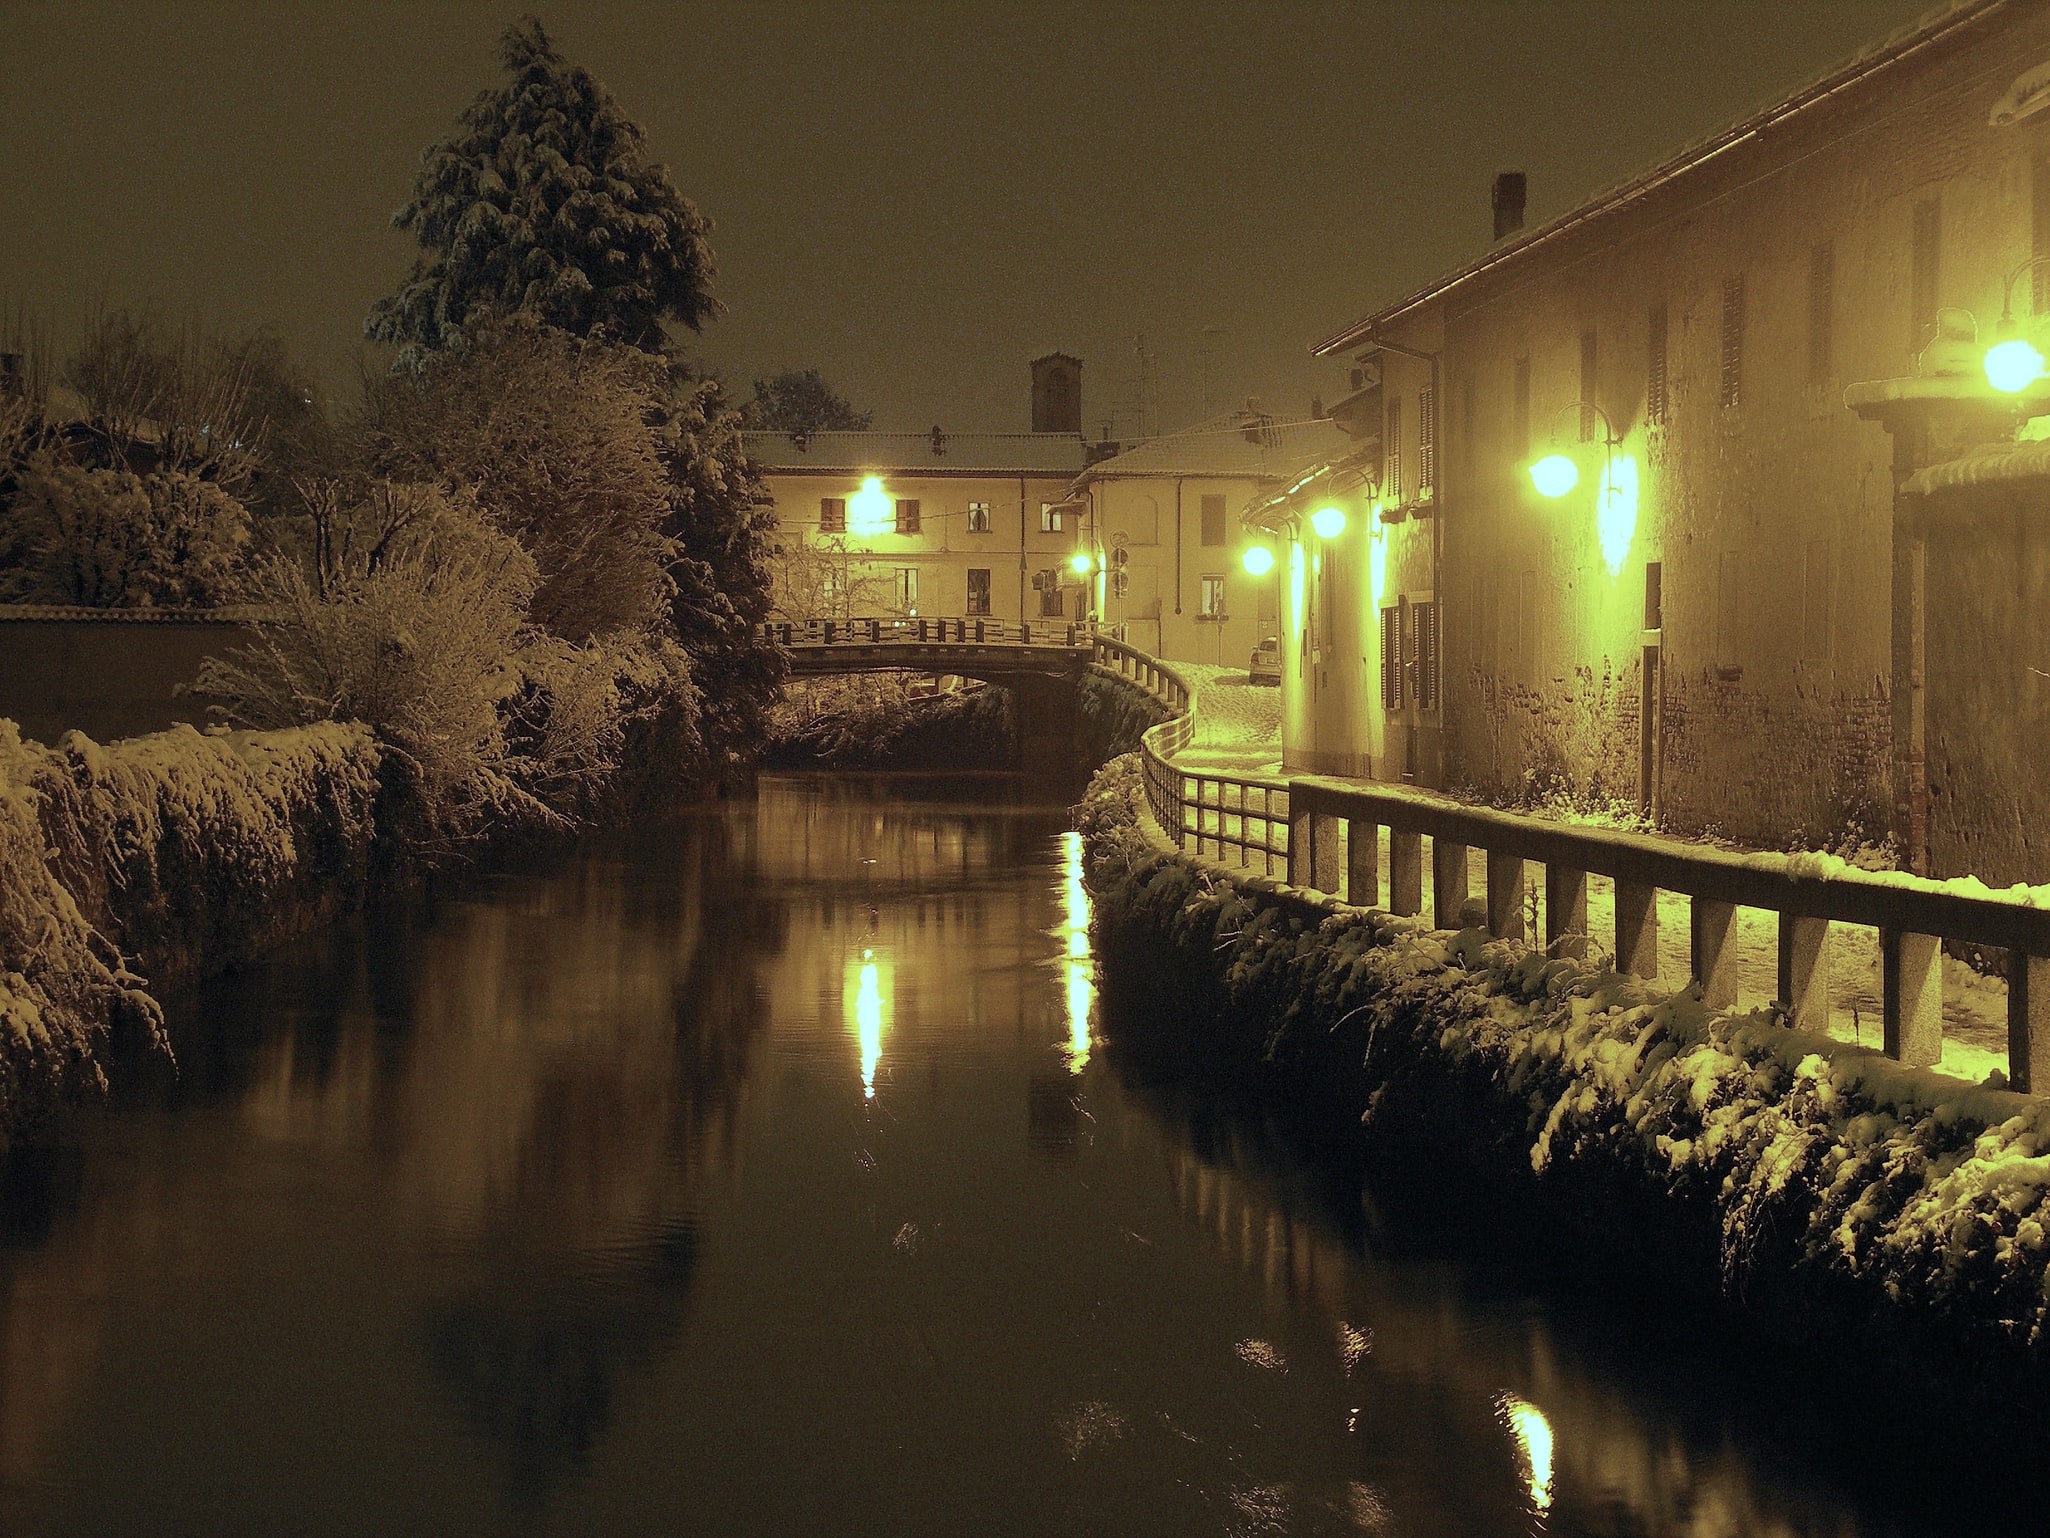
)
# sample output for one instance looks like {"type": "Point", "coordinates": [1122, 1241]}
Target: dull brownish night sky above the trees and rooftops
{"type": "Point", "coordinates": [913, 200]}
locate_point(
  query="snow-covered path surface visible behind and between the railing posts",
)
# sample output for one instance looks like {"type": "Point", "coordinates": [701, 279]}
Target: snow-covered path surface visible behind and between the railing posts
{"type": "Point", "coordinates": [1239, 731]}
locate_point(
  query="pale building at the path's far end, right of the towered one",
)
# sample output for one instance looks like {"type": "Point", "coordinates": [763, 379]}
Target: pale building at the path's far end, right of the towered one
{"type": "Point", "coordinates": [1167, 518]}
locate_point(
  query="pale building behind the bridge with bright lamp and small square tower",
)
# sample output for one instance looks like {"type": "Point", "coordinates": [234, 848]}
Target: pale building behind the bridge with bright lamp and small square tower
{"type": "Point", "coordinates": [936, 524]}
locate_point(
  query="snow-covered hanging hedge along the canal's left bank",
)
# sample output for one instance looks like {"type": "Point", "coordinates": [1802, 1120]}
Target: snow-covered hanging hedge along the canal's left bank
{"type": "Point", "coordinates": [153, 858]}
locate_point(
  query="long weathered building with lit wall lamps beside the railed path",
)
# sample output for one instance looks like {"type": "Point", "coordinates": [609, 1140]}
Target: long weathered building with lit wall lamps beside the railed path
{"type": "Point", "coordinates": [1721, 618]}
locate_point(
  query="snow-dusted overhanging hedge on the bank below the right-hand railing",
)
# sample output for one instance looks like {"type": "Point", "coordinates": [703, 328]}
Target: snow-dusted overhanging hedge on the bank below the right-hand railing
{"type": "Point", "coordinates": [1823, 1188]}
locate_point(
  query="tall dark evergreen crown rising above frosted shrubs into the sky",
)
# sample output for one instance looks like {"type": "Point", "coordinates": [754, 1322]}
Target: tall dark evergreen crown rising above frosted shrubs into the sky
{"type": "Point", "coordinates": [544, 204]}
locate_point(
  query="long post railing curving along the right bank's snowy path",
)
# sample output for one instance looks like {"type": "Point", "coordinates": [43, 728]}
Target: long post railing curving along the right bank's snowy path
{"type": "Point", "coordinates": [1325, 836]}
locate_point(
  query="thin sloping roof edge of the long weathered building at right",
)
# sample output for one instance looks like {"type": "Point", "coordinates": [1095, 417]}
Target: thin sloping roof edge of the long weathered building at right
{"type": "Point", "coordinates": [1889, 50]}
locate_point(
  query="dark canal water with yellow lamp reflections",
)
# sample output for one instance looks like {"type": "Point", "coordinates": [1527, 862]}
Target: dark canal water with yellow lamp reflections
{"type": "Point", "coordinates": [774, 1174]}
